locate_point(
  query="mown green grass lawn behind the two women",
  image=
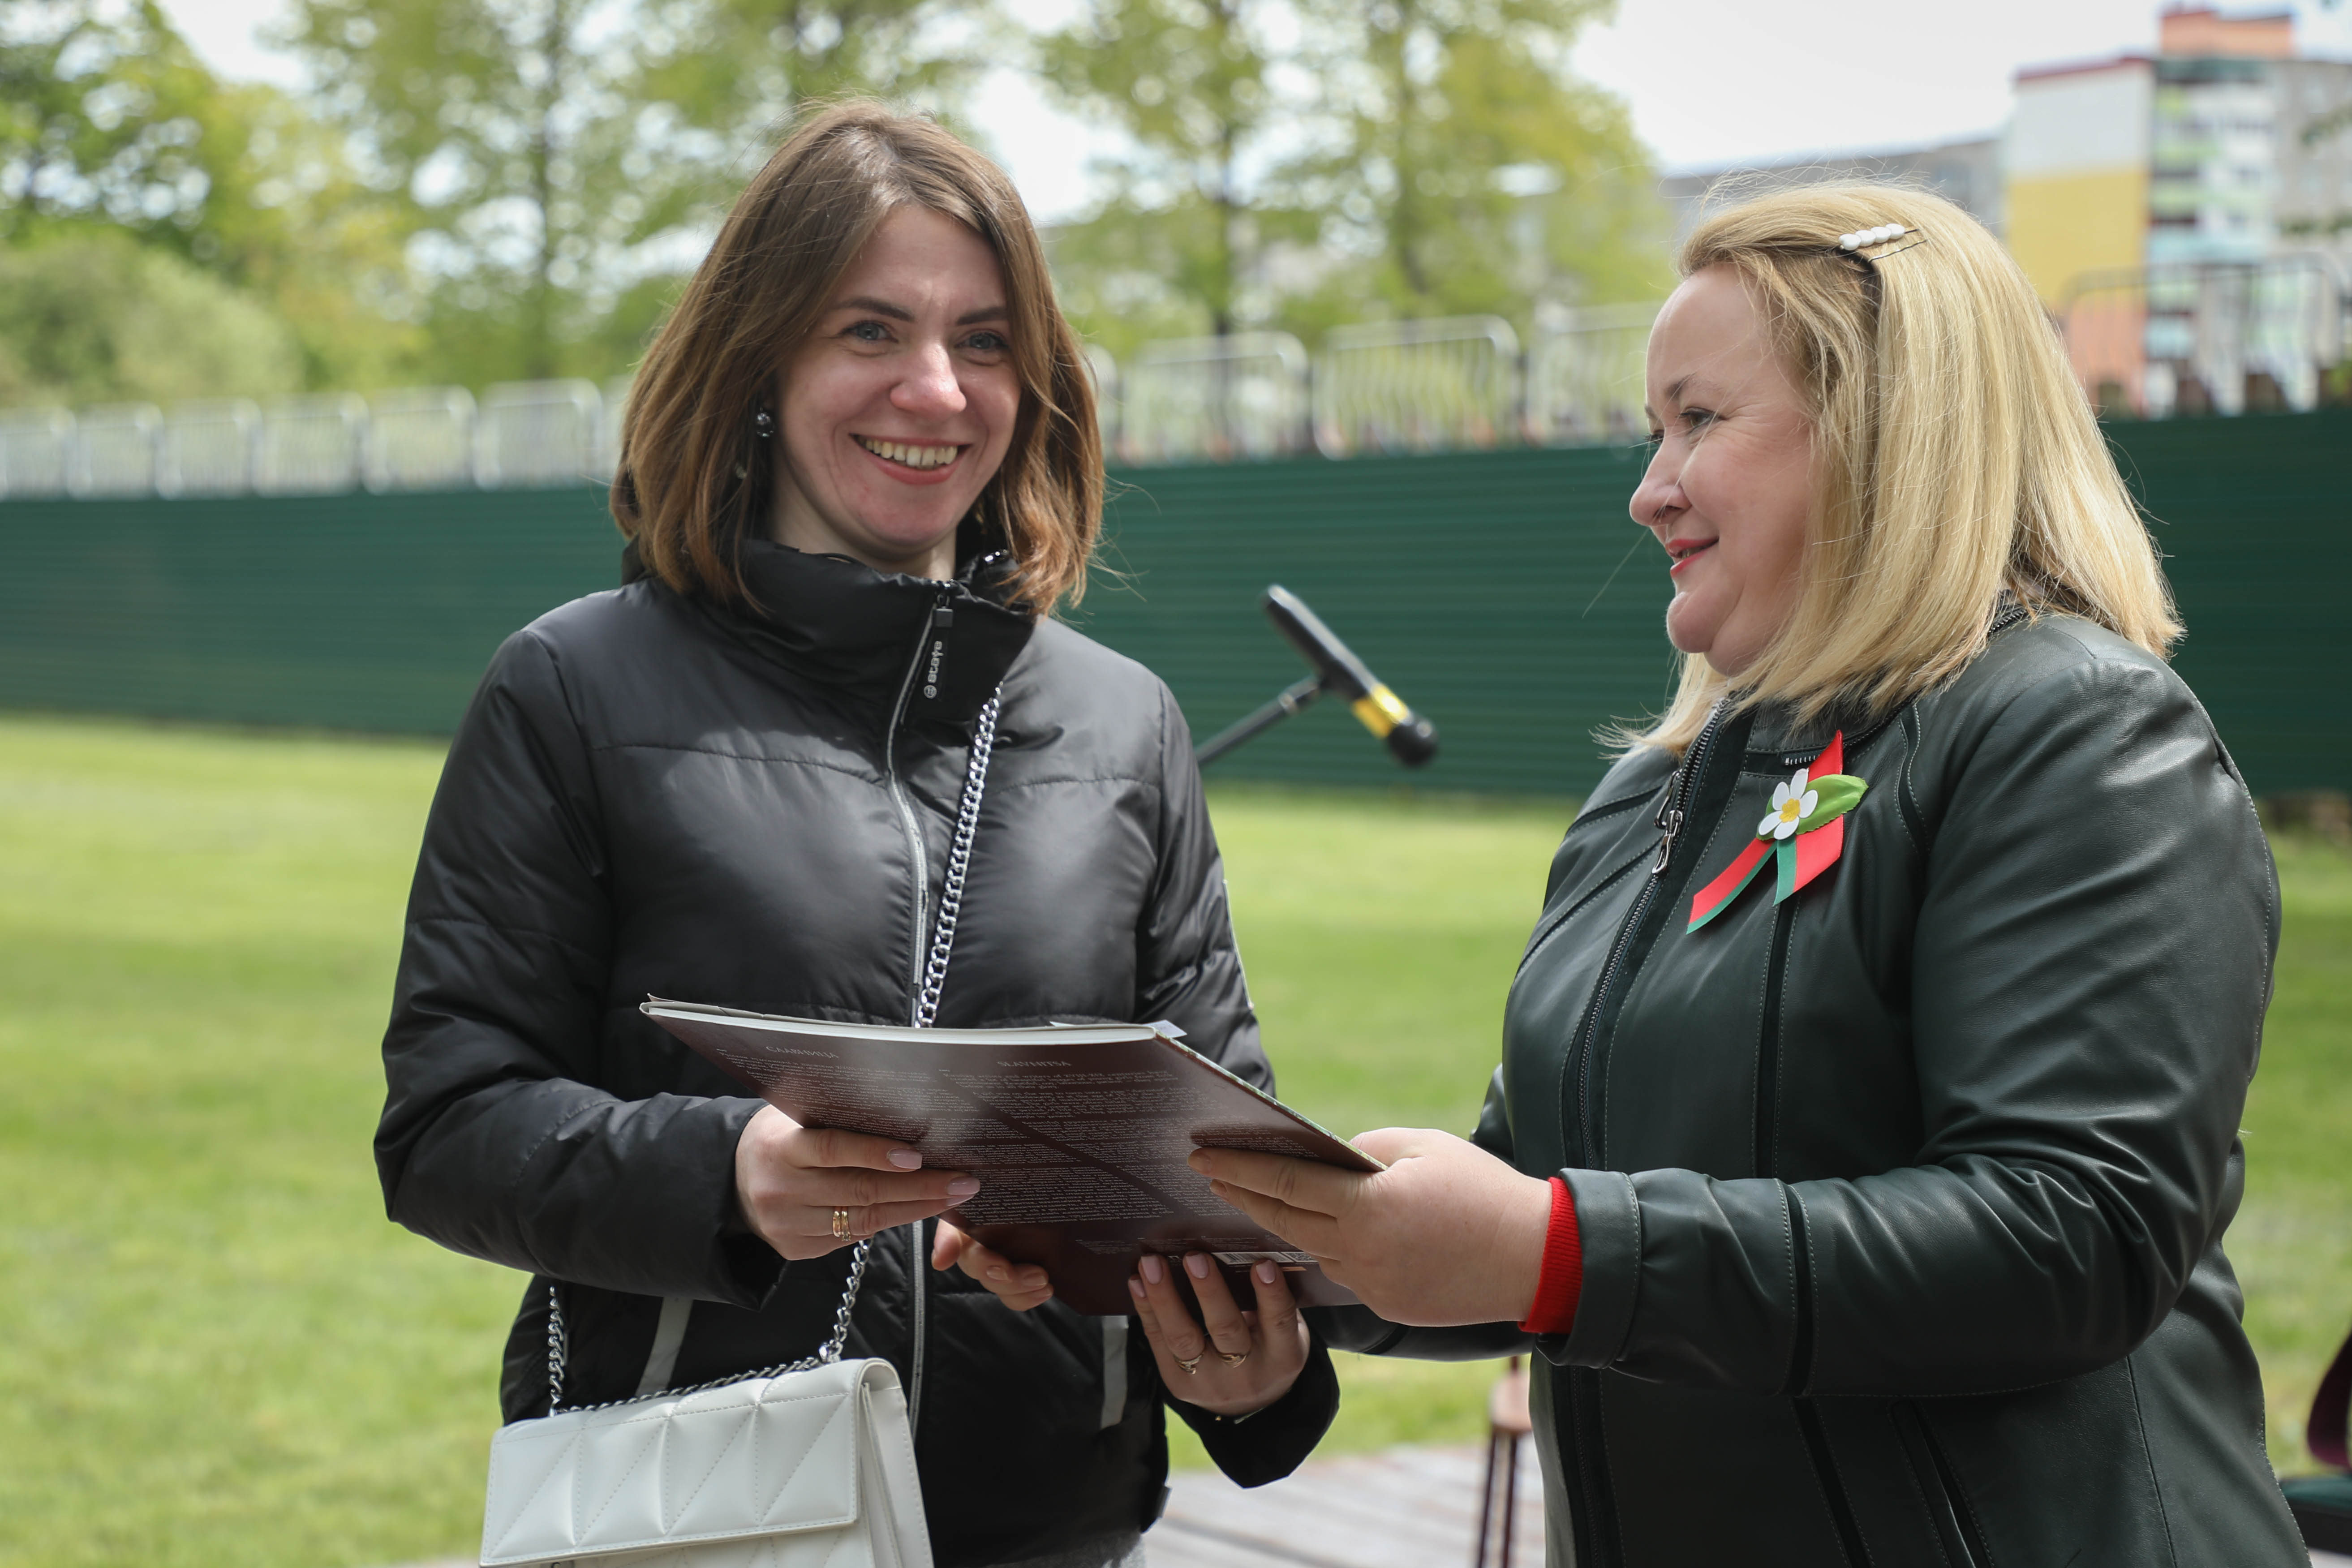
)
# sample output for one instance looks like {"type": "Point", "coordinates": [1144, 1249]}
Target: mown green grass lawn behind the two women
{"type": "Point", "coordinates": [215, 1351]}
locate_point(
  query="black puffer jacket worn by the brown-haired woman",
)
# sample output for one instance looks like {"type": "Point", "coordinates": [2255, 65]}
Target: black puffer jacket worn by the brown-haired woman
{"type": "Point", "coordinates": [653, 796]}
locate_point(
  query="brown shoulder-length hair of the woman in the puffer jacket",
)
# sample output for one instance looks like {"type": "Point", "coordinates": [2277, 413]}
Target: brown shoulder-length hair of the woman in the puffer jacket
{"type": "Point", "coordinates": [695, 481]}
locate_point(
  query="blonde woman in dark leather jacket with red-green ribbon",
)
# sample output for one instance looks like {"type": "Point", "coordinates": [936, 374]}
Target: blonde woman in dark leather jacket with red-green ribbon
{"type": "Point", "coordinates": [1869, 1108]}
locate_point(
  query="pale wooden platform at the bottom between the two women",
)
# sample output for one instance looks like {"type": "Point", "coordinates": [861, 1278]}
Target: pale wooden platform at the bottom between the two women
{"type": "Point", "coordinates": [1408, 1508]}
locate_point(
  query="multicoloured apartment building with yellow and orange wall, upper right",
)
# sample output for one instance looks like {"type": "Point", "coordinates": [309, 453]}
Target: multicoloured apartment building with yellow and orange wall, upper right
{"type": "Point", "coordinates": [2189, 213]}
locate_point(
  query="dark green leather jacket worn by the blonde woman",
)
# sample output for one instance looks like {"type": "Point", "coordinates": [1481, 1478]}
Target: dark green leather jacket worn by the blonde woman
{"type": "Point", "coordinates": [1904, 1200]}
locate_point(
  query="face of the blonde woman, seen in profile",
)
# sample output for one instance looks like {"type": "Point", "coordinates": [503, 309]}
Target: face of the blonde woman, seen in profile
{"type": "Point", "coordinates": [1730, 488]}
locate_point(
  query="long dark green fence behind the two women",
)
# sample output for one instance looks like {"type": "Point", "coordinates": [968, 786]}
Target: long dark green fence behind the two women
{"type": "Point", "coordinates": [1492, 591]}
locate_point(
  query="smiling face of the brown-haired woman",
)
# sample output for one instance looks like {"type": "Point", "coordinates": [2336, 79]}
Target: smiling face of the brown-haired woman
{"type": "Point", "coordinates": [902, 403]}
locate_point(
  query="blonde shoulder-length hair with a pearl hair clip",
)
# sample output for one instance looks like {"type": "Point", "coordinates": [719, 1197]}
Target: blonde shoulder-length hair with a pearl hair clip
{"type": "Point", "coordinates": [1953, 457]}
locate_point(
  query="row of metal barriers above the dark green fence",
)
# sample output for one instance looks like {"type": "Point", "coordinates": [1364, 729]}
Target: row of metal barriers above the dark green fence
{"type": "Point", "coordinates": [2151, 342]}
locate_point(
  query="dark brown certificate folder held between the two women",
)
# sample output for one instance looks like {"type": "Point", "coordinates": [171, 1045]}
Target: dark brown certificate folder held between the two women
{"type": "Point", "coordinates": [1078, 1134]}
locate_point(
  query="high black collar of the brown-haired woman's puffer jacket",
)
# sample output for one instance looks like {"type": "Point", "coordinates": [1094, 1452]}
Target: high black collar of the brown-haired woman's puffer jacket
{"type": "Point", "coordinates": [841, 624]}
